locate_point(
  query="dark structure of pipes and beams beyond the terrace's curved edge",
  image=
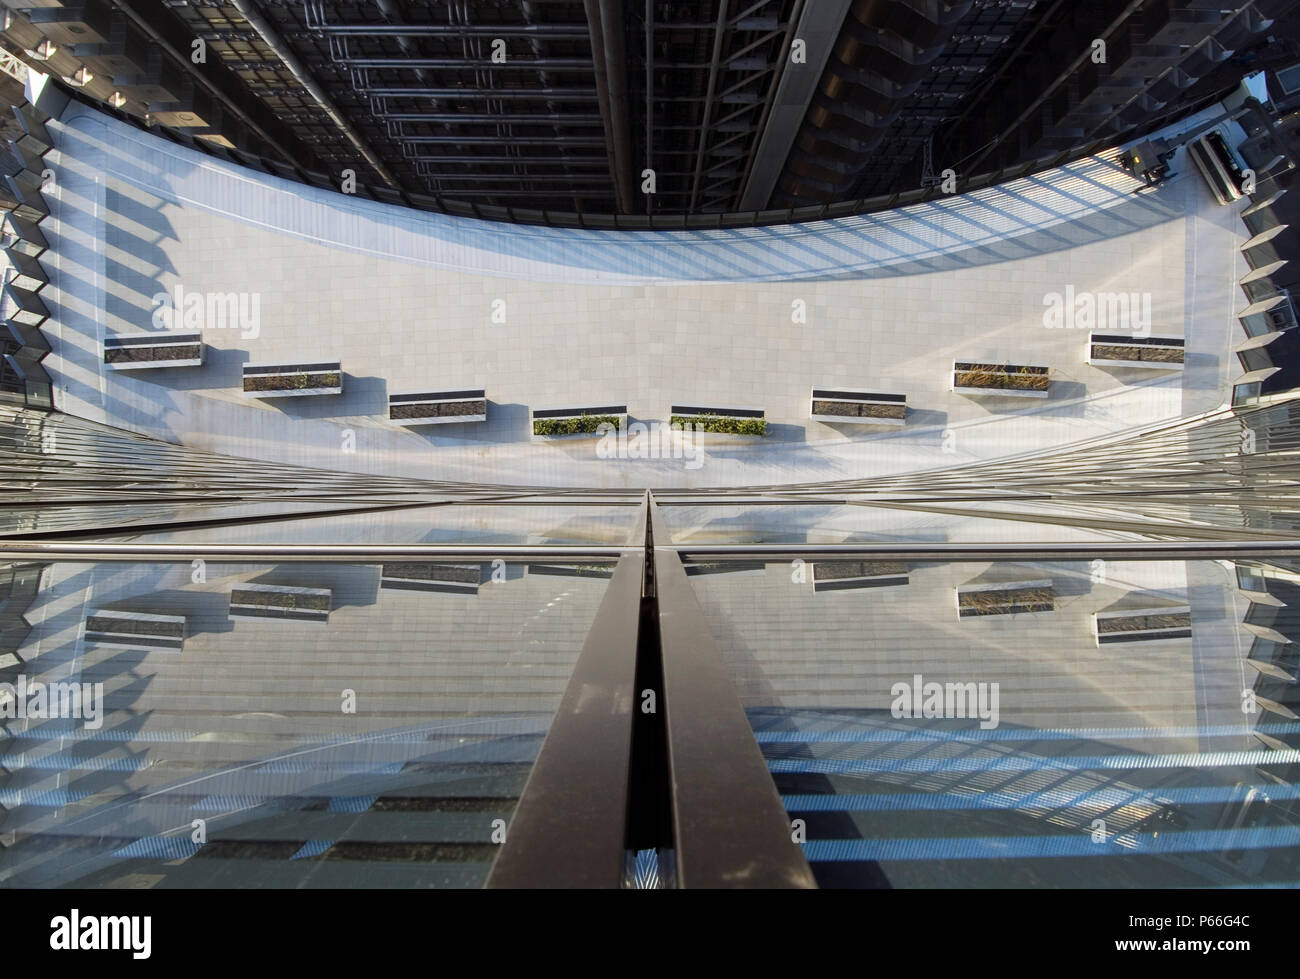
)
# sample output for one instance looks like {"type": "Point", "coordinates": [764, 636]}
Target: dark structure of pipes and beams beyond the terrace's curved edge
{"type": "Point", "coordinates": [653, 110]}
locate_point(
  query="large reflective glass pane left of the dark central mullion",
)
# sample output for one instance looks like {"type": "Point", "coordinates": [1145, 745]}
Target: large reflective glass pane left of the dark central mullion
{"type": "Point", "coordinates": [278, 726]}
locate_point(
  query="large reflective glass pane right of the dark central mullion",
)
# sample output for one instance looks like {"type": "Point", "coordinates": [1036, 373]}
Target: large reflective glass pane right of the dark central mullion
{"type": "Point", "coordinates": [1048, 725]}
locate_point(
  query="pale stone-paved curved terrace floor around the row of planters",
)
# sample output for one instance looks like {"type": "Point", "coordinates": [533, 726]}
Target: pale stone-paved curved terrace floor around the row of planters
{"type": "Point", "coordinates": [545, 318]}
